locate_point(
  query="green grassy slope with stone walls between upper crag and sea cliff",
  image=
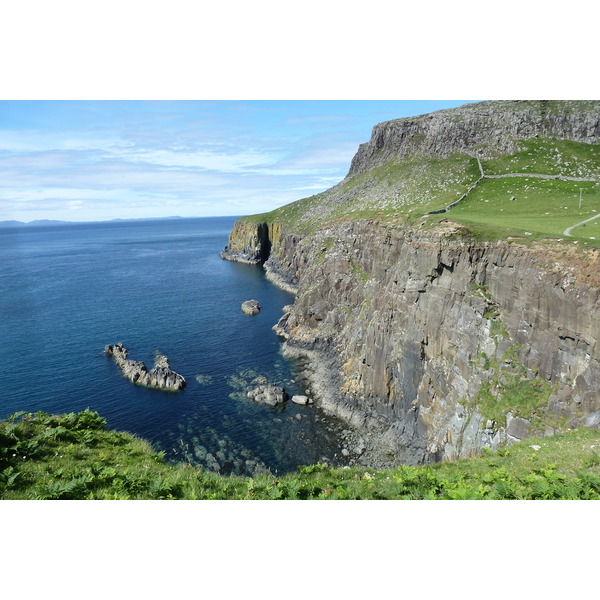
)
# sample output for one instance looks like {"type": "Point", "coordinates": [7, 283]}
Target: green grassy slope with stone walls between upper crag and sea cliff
{"type": "Point", "coordinates": [405, 191]}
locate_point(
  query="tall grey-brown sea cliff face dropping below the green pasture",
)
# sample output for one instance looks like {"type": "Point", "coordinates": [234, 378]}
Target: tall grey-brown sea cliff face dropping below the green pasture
{"type": "Point", "coordinates": [410, 334]}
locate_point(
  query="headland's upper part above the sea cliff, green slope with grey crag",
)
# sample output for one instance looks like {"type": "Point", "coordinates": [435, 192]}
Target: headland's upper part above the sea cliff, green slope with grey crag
{"type": "Point", "coordinates": [532, 191]}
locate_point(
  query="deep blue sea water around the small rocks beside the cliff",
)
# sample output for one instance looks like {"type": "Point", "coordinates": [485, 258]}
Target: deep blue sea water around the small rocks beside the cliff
{"type": "Point", "coordinates": [157, 286]}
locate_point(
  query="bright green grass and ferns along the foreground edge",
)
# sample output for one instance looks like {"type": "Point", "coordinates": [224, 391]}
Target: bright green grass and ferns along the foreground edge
{"type": "Point", "coordinates": [75, 456]}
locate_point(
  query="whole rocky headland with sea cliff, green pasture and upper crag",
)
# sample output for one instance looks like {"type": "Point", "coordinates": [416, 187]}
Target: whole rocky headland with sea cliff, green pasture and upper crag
{"type": "Point", "coordinates": [435, 335]}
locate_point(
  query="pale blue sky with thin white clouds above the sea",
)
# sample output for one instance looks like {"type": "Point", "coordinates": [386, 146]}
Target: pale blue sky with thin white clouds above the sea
{"type": "Point", "coordinates": [96, 160]}
